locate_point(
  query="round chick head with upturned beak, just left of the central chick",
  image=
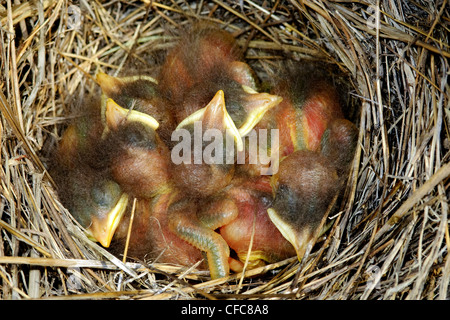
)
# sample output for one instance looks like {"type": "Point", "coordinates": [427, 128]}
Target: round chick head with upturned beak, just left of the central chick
{"type": "Point", "coordinates": [138, 159]}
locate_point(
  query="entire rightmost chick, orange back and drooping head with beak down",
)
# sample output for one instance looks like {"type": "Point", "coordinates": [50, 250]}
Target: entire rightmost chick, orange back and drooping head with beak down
{"type": "Point", "coordinates": [316, 147]}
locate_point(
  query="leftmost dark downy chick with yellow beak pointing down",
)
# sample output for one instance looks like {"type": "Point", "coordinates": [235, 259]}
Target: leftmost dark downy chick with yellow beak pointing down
{"type": "Point", "coordinates": [88, 191]}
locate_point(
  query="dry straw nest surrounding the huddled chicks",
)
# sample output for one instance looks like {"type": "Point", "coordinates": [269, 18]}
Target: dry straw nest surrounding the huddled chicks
{"type": "Point", "coordinates": [389, 235]}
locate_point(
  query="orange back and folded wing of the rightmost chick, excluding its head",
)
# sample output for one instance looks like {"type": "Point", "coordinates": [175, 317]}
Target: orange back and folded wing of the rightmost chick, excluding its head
{"type": "Point", "coordinates": [311, 117]}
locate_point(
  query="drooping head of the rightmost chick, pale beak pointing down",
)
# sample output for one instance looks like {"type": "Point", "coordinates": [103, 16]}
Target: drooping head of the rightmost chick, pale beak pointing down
{"type": "Point", "coordinates": [305, 188]}
